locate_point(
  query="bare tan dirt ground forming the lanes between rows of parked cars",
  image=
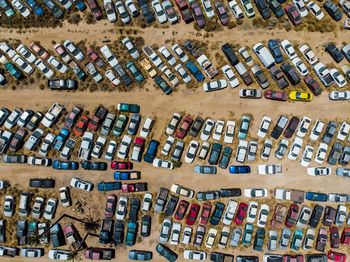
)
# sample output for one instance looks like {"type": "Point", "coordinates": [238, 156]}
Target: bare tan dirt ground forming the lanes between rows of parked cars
{"type": "Point", "coordinates": [223, 105]}
